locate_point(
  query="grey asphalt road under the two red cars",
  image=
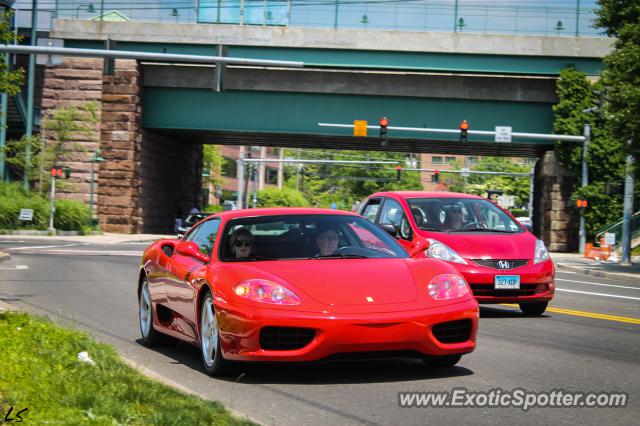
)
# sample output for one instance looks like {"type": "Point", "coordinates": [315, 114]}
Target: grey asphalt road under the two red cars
{"type": "Point", "coordinates": [589, 340]}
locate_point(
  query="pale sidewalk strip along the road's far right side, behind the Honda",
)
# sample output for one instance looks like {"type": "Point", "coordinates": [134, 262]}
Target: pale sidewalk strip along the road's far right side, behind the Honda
{"type": "Point", "coordinates": [576, 263]}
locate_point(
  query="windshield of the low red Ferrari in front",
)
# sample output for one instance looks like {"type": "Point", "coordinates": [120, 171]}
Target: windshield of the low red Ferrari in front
{"type": "Point", "coordinates": [305, 237]}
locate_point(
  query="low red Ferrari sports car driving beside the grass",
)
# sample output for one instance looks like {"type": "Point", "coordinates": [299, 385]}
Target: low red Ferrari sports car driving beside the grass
{"type": "Point", "coordinates": [290, 284]}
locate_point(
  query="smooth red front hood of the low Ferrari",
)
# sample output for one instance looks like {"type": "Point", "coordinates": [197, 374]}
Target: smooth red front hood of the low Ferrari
{"type": "Point", "coordinates": [339, 282]}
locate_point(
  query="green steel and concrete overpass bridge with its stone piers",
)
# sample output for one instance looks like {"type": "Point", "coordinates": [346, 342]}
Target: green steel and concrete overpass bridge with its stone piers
{"type": "Point", "coordinates": [155, 116]}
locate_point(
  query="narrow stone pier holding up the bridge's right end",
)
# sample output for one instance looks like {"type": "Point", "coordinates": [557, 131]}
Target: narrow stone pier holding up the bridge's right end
{"type": "Point", "coordinates": [554, 223]}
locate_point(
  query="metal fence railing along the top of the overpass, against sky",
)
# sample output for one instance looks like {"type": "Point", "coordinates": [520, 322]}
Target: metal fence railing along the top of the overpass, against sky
{"type": "Point", "coordinates": [568, 18]}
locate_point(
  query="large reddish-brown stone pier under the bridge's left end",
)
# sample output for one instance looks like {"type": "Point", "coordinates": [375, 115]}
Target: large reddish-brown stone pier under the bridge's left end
{"type": "Point", "coordinates": [145, 177]}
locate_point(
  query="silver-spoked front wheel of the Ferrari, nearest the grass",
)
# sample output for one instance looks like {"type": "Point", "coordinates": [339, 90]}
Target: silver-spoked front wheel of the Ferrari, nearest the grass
{"type": "Point", "coordinates": [214, 363]}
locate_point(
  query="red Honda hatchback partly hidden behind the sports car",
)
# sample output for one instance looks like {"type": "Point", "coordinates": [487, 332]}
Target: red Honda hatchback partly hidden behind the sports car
{"type": "Point", "coordinates": [499, 258]}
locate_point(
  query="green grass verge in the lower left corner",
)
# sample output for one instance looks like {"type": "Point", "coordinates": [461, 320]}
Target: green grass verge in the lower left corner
{"type": "Point", "coordinates": [40, 371]}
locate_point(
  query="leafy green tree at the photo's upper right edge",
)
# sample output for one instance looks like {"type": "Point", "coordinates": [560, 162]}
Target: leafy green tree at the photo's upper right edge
{"type": "Point", "coordinates": [621, 75]}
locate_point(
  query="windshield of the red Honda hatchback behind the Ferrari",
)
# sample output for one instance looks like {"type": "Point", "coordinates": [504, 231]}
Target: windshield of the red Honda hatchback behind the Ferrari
{"type": "Point", "coordinates": [461, 215]}
